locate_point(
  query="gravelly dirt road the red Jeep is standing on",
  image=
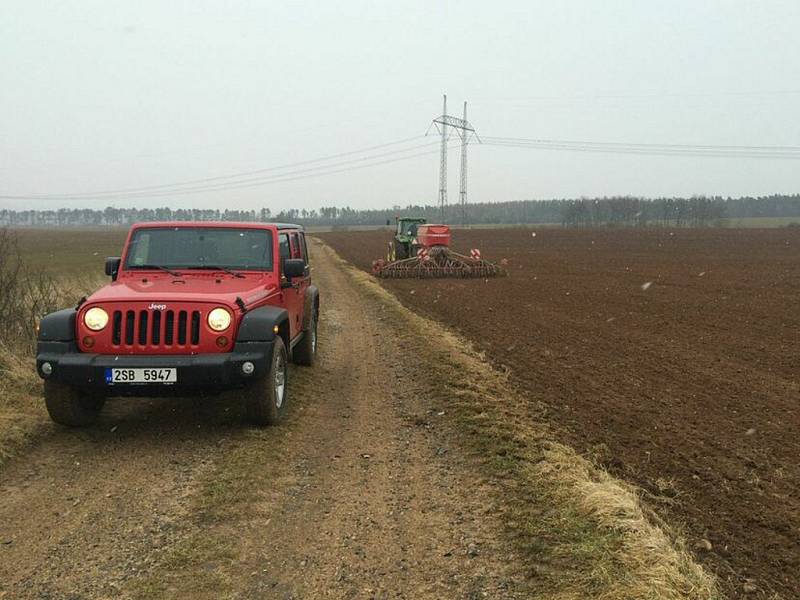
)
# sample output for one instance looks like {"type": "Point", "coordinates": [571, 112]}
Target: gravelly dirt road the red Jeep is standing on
{"type": "Point", "coordinates": [359, 495]}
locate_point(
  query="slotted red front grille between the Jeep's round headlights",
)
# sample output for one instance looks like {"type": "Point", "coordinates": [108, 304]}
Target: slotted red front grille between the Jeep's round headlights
{"type": "Point", "coordinates": [155, 328]}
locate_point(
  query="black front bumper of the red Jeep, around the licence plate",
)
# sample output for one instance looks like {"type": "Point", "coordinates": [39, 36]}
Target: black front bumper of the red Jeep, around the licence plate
{"type": "Point", "coordinates": [195, 372]}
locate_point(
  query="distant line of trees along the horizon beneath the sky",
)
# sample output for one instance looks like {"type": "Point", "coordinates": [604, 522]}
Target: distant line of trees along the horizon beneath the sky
{"type": "Point", "coordinates": [625, 211]}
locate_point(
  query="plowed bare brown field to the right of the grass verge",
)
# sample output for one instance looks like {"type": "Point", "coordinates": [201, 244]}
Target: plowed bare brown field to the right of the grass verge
{"type": "Point", "coordinates": [669, 356]}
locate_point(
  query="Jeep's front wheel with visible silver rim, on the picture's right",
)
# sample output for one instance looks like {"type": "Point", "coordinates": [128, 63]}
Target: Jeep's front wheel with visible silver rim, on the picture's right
{"type": "Point", "coordinates": [266, 399]}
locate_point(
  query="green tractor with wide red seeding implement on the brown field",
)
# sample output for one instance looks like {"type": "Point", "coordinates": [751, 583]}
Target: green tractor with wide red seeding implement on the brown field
{"type": "Point", "coordinates": [423, 250]}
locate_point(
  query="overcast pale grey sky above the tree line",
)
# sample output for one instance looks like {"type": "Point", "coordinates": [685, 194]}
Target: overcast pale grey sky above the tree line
{"type": "Point", "coordinates": [100, 95]}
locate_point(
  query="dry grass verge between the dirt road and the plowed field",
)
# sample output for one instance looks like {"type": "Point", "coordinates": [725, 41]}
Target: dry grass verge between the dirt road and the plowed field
{"type": "Point", "coordinates": [582, 533]}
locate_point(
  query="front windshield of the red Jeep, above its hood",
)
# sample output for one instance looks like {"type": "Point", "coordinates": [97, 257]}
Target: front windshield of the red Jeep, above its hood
{"type": "Point", "coordinates": [200, 247]}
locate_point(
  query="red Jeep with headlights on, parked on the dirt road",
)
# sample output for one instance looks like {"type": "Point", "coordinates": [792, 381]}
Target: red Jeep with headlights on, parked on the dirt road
{"type": "Point", "coordinates": [192, 307]}
